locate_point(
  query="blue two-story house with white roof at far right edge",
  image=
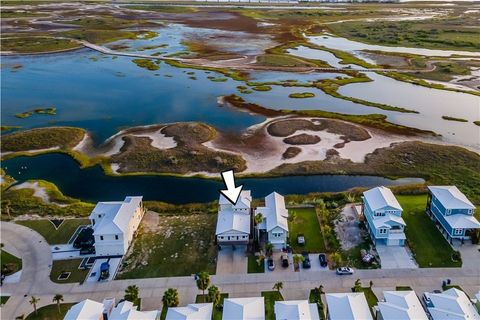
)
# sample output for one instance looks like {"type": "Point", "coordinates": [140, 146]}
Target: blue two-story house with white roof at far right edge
{"type": "Point", "coordinates": [450, 209]}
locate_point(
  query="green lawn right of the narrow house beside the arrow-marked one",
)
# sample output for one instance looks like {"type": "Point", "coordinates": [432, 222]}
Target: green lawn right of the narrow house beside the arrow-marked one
{"type": "Point", "coordinates": [306, 223]}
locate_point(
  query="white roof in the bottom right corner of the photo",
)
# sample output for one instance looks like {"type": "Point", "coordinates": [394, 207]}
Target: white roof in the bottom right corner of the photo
{"type": "Point", "coordinates": [452, 304]}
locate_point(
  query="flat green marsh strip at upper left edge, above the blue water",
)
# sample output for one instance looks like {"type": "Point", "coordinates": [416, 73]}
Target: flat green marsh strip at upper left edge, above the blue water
{"type": "Point", "coordinates": [31, 44]}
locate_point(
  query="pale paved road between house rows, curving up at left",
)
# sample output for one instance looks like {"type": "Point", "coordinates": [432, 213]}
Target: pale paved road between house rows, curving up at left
{"type": "Point", "coordinates": [37, 261]}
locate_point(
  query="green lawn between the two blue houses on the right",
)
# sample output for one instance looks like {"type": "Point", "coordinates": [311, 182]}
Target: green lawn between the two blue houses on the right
{"type": "Point", "coordinates": [429, 246]}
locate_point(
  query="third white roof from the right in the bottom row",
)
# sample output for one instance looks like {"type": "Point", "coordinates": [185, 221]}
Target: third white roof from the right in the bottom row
{"type": "Point", "coordinates": [348, 306]}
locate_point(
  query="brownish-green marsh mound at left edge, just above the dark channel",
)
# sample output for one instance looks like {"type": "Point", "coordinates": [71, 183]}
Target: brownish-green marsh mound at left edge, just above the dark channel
{"type": "Point", "coordinates": [42, 138]}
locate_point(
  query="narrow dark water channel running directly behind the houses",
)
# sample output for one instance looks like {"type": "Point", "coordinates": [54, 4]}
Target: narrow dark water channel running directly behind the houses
{"type": "Point", "coordinates": [85, 184]}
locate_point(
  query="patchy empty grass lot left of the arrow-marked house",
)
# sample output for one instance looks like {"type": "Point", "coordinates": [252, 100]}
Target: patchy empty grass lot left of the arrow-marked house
{"type": "Point", "coordinates": [172, 246]}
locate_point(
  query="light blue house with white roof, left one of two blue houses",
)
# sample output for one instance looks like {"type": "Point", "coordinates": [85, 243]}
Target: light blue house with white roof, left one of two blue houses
{"type": "Point", "coordinates": [383, 215]}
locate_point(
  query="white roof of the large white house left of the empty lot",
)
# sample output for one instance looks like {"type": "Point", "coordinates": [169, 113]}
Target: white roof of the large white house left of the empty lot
{"type": "Point", "coordinates": [116, 215]}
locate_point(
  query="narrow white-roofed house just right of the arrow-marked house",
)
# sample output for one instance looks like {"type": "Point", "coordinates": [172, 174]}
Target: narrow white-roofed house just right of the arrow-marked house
{"type": "Point", "coordinates": [275, 220]}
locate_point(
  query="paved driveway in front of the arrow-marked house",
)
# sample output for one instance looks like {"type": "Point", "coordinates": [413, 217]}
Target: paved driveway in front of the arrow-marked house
{"type": "Point", "coordinates": [232, 261]}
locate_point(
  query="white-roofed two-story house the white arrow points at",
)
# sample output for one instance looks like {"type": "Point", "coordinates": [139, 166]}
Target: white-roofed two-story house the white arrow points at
{"type": "Point", "coordinates": [234, 220]}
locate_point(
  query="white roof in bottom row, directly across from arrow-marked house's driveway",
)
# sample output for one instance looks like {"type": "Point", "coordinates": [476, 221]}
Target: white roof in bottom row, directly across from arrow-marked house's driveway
{"type": "Point", "coordinates": [244, 308]}
